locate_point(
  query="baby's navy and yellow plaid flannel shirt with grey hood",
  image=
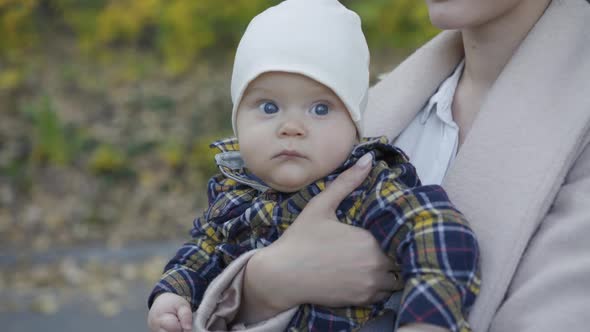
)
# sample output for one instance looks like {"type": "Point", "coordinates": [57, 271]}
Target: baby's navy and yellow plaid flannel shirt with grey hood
{"type": "Point", "coordinates": [416, 225]}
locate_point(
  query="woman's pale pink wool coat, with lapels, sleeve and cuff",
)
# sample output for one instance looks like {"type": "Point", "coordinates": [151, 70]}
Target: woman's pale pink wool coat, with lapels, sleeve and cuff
{"type": "Point", "coordinates": [522, 176]}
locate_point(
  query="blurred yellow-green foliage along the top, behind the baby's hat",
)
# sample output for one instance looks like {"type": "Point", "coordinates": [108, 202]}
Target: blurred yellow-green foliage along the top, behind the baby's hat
{"type": "Point", "coordinates": [178, 32]}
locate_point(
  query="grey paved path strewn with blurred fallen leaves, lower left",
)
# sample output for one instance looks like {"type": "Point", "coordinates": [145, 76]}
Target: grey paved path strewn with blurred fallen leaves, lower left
{"type": "Point", "coordinates": [91, 289]}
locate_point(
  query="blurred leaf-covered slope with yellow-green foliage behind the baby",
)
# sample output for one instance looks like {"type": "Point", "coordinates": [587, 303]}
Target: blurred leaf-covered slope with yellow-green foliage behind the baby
{"type": "Point", "coordinates": [108, 107]}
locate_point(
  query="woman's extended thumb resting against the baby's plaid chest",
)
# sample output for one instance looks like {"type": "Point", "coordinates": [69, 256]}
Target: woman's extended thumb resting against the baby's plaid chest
{"type": "Point", "coordinates": [345, 183]}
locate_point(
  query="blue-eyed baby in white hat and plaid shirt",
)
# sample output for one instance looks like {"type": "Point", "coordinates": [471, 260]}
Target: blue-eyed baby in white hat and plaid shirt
{"type": "Point", "coordinates": [299, 88]}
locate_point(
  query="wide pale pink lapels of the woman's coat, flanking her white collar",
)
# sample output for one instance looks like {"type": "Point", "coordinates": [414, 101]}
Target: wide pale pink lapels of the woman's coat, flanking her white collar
{"type": "Point", "coordinates": [525, 138]}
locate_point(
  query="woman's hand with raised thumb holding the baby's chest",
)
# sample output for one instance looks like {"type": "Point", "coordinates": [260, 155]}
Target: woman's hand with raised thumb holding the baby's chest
{"type": "Point", "coordinates": [318, 259]}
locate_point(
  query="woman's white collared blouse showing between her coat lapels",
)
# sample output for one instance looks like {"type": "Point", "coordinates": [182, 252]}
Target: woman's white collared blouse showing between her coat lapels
{"type": "Point", "coordinates": [432, 138]}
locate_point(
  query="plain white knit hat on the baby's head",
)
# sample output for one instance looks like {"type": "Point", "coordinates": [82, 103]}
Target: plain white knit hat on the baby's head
{"type": "Point", "coordinates": [320, 39]}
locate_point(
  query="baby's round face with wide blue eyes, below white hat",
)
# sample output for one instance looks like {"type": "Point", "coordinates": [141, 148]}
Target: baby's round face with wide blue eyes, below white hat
{"type": "Point", "coordinates": [292, 130]}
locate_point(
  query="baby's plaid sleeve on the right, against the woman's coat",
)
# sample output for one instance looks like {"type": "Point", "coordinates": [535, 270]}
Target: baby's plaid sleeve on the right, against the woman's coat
{"type": "Point", "coordinates": [434, 245]}
